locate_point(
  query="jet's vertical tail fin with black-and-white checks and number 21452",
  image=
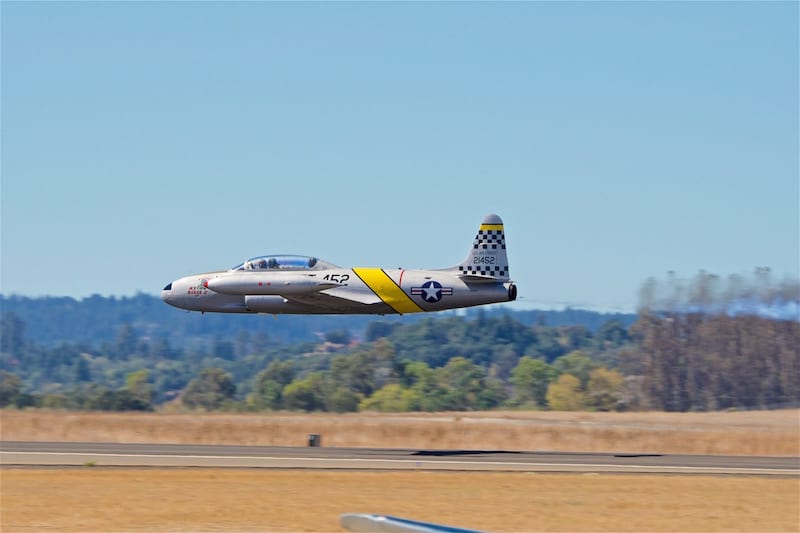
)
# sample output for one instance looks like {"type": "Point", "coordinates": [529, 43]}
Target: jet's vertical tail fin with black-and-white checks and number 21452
{"type": "Point", "coordinates": [487, 258]}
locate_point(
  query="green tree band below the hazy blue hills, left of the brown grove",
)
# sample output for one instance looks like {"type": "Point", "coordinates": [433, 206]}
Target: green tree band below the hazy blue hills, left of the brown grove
{"type": "Point", "coordinates": [448, 363]}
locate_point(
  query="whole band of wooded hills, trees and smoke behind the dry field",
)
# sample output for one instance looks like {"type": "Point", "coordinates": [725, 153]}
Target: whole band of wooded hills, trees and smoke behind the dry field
{"type": "Point", "coordinates": [687, 349]}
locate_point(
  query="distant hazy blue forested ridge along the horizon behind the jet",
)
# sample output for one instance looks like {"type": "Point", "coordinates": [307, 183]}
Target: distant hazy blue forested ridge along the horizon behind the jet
{"type": "Point", "coordinates": [52, 320]}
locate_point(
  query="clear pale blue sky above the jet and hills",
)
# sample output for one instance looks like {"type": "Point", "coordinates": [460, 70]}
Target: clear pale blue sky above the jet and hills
{"type": "Point", "coordinates": [145, 141]}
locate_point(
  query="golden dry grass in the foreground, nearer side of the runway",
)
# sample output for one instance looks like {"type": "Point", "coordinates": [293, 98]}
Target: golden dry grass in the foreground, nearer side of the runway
{"type": "Point", "coordinates": [104, 500]}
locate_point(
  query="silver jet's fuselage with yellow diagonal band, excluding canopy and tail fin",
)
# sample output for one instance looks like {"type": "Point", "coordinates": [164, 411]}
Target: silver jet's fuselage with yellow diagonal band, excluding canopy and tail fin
{"type": "Point", "coordinates": [338, 291]}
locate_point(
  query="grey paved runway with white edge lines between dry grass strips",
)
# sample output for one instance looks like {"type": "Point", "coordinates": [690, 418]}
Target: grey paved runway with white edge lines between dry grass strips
{"type": "Point", "coordinates": [66, 454]}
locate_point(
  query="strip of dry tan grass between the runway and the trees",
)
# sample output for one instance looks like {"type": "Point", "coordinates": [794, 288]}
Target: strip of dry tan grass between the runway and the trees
{"type": "Point", "coordinates": [728, 433]}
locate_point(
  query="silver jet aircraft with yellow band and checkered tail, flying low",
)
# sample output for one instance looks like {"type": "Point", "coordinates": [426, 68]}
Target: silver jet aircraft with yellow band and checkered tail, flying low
{"type": "Point", "coordinates": [290, 284]}
